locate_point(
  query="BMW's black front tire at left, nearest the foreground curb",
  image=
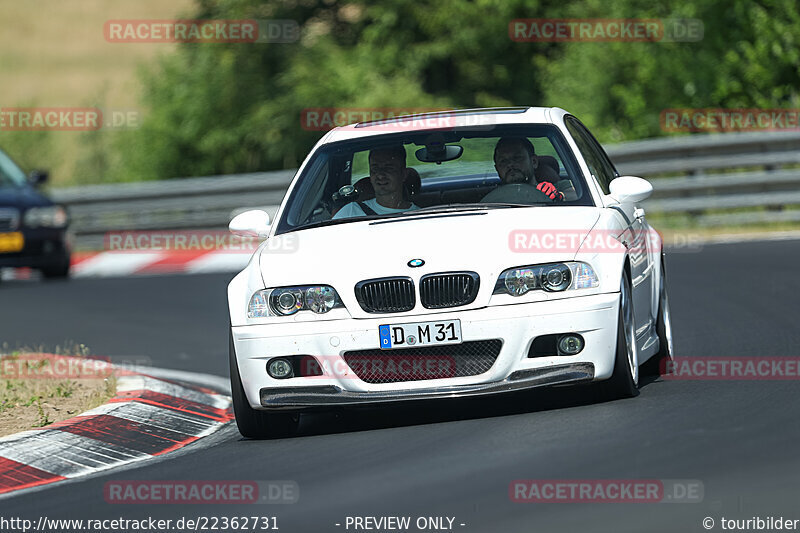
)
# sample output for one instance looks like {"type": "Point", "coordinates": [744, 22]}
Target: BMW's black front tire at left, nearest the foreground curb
{"type": "Point", "coordinates": [252, 423]}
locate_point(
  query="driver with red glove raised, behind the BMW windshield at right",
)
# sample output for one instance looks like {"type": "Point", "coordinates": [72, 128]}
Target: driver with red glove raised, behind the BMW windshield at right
{"type": "Point", "coordinates": [516, 162]}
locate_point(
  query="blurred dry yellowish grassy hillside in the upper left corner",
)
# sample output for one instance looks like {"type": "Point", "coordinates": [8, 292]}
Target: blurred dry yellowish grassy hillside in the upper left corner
{"type": "Point", "coordinates": [54, 54]}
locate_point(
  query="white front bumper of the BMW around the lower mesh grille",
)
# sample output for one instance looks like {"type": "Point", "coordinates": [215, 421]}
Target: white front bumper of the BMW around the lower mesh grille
{"type": "Point", "coordinates": [594, 317]}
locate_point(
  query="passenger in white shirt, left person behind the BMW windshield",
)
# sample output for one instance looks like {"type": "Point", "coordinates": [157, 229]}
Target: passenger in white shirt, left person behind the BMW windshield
{"type": "Point", "coordinates": [387, 174]}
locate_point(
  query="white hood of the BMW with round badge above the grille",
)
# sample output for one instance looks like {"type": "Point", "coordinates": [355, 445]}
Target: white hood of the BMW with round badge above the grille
{"type": "Point", "coordinates": [482, 241]}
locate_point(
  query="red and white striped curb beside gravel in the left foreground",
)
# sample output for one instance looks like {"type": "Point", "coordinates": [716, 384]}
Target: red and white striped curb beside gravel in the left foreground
{"type": "Point", "coordinates": [148, 417]}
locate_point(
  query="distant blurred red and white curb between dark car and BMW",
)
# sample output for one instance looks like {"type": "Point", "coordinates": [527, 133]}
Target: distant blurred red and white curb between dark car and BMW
{"type": "Point", "coordinates": [125, 263]}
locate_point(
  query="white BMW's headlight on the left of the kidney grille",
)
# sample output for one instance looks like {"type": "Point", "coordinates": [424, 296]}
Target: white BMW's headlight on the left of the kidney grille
{"type": "Point", "coordinates": [286, 301]}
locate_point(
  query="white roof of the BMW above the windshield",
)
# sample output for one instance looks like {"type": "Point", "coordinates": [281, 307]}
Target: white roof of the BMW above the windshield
{"type": "Point", "coordinates": [446, 119]}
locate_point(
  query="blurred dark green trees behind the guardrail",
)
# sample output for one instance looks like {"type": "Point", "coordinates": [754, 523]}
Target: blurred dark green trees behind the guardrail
{"type": "Point", "coordinates": [224, 108]}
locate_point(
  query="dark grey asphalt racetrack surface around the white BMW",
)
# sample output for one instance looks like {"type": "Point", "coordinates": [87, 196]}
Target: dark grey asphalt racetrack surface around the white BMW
{"type": "Point", "coordinates": [457, 458]}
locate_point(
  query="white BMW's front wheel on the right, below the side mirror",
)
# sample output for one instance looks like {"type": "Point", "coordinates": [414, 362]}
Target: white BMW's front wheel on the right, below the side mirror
{"type": "Point", "coordinates": [624, 382]}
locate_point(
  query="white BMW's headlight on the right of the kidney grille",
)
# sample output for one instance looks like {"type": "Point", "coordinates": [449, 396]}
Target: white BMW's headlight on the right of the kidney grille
{"type": "Point", "coordinates": [550, 277]}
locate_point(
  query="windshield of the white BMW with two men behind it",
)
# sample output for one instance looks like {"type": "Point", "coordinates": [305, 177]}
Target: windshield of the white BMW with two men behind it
{"type": "Point", "coordinates": [411, 173]}
